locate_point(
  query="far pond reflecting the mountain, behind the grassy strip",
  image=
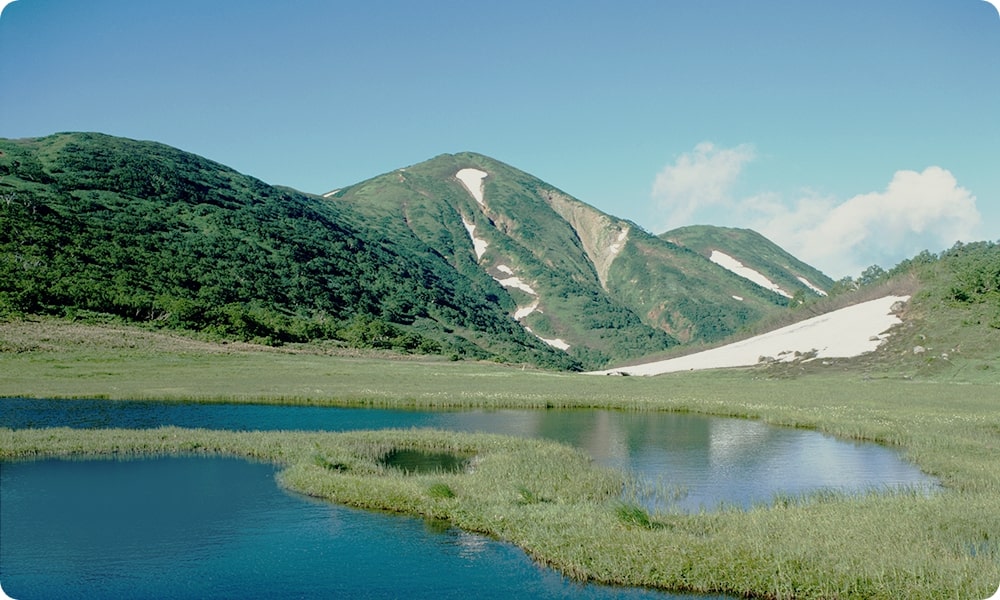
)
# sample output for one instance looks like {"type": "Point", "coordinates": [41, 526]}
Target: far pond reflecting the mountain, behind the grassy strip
{"type": "Point", "coordinates": [708, 460]}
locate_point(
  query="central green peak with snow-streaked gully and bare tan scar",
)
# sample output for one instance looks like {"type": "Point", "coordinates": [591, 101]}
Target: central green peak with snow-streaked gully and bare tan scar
{"type": "Point", "coordinates": [595, 286]}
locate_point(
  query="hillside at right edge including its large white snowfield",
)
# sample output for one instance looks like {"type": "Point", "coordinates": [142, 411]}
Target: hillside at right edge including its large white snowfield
{"type": "Point", "coordinates": [931, 316]}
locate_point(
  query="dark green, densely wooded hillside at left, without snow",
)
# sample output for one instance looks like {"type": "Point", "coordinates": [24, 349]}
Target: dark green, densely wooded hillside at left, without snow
{"type": "Point", "coordinates": [144, 232]}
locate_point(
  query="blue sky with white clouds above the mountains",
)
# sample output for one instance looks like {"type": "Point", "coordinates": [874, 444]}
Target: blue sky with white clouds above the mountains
{"type": "Point", "coordinates": [851, 132]}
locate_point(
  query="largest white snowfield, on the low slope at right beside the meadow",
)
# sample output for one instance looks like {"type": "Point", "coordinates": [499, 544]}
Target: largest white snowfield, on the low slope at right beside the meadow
{"type": "Point", "coordinates": [843, 333]}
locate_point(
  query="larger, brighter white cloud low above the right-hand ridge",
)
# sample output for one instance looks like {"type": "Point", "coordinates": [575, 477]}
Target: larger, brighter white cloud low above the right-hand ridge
{"type": "Point", "coordinates": [916, 211]}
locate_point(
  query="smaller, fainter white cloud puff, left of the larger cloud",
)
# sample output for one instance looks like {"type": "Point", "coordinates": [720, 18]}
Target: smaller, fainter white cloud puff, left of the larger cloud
{"type": "Point", "coordinates": [697, 180]}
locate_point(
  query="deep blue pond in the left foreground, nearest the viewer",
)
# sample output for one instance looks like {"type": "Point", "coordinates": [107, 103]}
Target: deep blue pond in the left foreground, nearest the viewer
{"type": "Point", "coordinates": [195, 528]}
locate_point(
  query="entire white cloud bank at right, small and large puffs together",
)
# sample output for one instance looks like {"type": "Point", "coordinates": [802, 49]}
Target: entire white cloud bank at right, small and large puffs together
{"type": "Point", "coordinates": [916, 211]}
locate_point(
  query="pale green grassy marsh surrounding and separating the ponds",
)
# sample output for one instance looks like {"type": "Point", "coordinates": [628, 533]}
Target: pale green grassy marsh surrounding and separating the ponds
{"type": "Point", "coordinates": [563, 511]}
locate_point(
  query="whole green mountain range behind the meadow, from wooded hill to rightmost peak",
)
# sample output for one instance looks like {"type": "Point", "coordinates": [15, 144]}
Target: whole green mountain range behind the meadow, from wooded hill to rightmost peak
{"type": "Point", "coordinates": [460, 255]}
